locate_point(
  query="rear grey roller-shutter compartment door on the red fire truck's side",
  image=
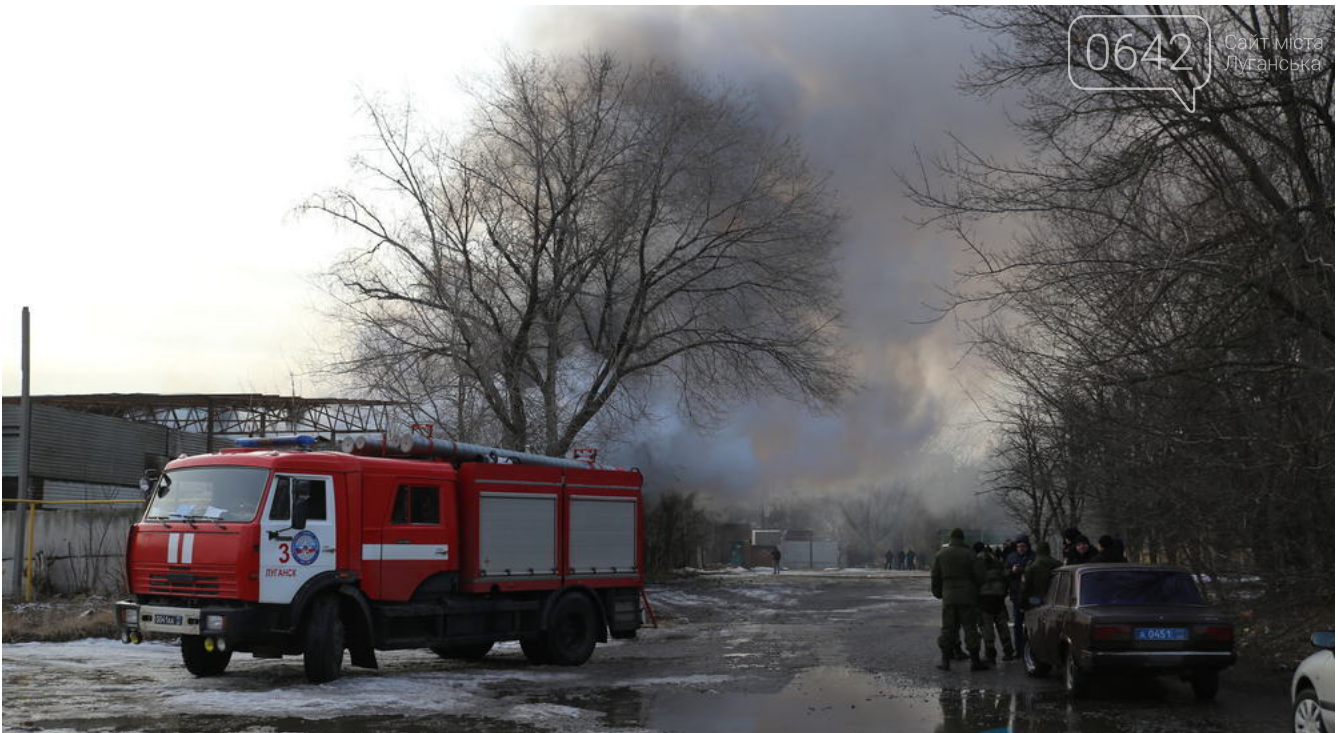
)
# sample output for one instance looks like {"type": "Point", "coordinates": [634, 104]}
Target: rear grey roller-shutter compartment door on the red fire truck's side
{"type": "Point", "coordinates": [604, 536]}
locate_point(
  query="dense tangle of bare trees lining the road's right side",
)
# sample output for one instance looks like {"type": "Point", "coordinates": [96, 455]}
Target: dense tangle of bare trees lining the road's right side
{"type": "Point", "coordinates": [1162, 319]}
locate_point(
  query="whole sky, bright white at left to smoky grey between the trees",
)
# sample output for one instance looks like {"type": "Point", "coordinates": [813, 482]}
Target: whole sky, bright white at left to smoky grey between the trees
{"type": "Point", "coordinates": [153, 163]}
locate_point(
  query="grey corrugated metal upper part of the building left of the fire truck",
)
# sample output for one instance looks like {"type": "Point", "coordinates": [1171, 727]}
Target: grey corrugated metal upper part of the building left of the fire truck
{"type": "Point", "coordinates": [92, 449]}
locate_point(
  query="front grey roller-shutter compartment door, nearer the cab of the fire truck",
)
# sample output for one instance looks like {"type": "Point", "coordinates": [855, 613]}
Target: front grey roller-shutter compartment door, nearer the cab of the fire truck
{"type": "Point", "coordinates": [518, 534]}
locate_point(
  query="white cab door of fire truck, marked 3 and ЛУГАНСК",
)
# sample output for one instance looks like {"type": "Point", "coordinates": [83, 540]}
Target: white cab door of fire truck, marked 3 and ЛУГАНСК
{"type": "Point", "coordinates": [291, 557]}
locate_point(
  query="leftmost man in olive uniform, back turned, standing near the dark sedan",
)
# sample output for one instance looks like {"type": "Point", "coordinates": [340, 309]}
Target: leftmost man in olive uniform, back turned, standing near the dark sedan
{"type": "Point", "coordinates": [957, 580]}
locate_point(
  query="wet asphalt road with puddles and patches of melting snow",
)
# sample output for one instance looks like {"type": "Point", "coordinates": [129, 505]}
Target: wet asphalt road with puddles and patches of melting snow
{"type": "Point", "coordinates": [733, 653]}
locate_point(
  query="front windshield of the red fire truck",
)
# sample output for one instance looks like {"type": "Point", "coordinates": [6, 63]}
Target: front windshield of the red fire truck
{"type": "Point", "coordinates": [219, 493]}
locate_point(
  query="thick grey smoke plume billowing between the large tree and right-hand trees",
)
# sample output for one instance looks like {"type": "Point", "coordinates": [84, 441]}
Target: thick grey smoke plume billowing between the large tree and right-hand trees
{"type": "Point", "coordinates": [862, 90]}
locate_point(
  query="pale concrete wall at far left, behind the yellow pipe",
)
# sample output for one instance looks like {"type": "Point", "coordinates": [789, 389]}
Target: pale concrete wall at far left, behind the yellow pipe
{"type": "Point", "coordinates": [76, 552]}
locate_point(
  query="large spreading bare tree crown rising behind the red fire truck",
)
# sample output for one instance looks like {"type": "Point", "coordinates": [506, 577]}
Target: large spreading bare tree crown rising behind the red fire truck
{"type": "Point", "coordinates": [596, 231]}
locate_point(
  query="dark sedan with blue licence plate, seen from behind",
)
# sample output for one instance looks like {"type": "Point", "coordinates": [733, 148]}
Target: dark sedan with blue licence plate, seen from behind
{"type": "Point", "coordinates": [1131, 620]}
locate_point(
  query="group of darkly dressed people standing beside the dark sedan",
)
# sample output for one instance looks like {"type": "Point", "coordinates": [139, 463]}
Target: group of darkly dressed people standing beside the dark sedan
{"type": "Point", "coordinates": [973, 583]}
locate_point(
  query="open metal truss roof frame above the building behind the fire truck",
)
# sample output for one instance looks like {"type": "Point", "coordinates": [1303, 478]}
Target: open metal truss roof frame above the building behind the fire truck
{"type": "Point", "coordinates": [232, 417]}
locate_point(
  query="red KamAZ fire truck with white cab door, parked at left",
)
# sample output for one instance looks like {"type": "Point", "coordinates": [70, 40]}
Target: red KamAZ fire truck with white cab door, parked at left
{"type": "Point", "coordinates": [279, 549]}
